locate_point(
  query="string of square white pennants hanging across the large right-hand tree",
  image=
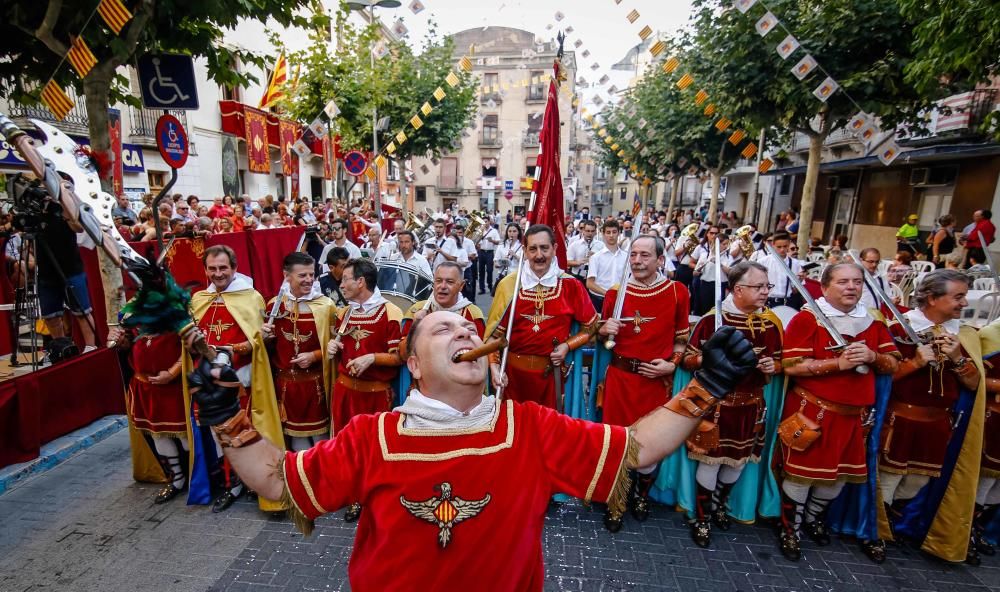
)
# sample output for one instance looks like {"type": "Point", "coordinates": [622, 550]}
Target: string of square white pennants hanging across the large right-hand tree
{"type": "Point", "coordinates": [862, 125]}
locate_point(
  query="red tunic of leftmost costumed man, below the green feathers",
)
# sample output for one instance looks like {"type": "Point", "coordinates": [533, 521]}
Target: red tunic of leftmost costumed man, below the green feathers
{"type": "Point", "coordinates": [156, 409]}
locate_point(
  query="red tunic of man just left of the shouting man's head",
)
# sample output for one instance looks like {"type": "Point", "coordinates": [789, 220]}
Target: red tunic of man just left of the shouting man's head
{"type": "Point", "coordinates": [377, 331]}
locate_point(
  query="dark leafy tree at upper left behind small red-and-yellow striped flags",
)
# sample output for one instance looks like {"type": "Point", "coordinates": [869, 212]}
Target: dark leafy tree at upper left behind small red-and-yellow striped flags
{"type": "Point", "coordinates": [37, 35]}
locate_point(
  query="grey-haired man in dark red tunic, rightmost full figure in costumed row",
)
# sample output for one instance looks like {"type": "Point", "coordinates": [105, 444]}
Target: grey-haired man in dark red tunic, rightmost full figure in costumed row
{"type": "Point", "coordinates": [919, 423]}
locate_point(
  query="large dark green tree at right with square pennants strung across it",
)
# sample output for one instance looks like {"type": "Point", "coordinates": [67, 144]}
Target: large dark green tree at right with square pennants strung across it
{"type": "Point", "coordinates": [863, 44]}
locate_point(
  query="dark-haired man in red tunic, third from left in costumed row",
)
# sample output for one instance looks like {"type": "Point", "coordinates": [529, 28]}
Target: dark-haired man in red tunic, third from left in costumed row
{"type": "Point", "coordinates": [299, 334]}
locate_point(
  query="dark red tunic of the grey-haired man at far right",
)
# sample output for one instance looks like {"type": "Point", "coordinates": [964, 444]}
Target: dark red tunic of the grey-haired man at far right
{"type": "Point", "coordinates": [917, 446]}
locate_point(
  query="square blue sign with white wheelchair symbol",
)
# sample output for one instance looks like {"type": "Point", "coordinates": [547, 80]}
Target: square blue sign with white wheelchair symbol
{"type": "Point", "coordinates": [167, 82]}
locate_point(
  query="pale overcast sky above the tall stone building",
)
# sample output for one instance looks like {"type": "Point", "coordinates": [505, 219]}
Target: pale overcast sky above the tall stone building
{"type": "Point", "coordinates": [601, 25]}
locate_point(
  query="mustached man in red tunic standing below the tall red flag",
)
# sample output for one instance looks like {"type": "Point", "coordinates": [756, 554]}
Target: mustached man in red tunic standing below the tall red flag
{"type": "Point", "coordinates": [548, 303]}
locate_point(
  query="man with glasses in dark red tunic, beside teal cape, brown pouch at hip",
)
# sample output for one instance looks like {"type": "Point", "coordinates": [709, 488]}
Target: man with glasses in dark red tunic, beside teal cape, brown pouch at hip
{"type": "Point", "coordinates": [722, 450]}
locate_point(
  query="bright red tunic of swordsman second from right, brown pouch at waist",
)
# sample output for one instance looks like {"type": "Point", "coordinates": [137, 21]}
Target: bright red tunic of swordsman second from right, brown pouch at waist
{"type": "Point", "coordinates": [840, 450]}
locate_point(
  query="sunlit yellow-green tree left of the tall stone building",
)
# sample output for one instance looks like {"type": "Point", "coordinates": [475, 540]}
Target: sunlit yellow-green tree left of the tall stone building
{"type": "Point", "coordinates": [396, 87]}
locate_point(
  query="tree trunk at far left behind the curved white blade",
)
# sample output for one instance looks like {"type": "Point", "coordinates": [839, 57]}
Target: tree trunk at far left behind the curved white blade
{"type": "Point", "coordinates": [97, 88]}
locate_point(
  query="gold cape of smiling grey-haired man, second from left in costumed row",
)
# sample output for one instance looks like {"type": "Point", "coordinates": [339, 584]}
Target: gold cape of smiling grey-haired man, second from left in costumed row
{"type": "Point", "coordinates": [246, 307]}
